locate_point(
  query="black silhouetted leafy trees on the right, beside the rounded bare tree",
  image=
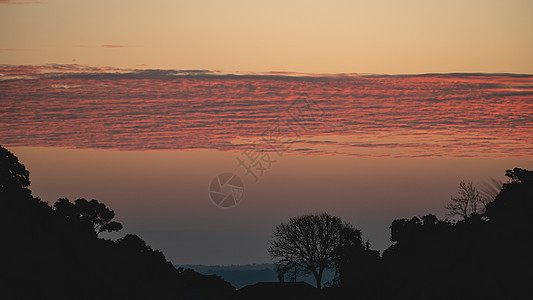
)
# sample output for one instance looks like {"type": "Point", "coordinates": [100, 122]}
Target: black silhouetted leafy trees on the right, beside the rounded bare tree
{"type": "Point", "coordinates": [483, 256]}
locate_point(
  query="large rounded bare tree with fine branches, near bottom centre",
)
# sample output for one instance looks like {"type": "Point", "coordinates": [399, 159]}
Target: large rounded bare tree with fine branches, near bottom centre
{"type": "Point", "coordinates": [307, 244]}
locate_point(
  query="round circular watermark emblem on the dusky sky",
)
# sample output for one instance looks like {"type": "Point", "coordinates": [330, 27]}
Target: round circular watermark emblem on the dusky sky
{"type": "Point", "coordinates": [226, 190]}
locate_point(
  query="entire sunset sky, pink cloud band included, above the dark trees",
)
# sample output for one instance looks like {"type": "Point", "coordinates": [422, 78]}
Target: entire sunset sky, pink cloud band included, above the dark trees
{"type": "Point", "coordinates": [384, 107]}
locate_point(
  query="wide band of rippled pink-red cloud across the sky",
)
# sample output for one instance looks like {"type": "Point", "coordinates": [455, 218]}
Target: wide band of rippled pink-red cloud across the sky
{"type": "Point", "coordinates": [452, 115]}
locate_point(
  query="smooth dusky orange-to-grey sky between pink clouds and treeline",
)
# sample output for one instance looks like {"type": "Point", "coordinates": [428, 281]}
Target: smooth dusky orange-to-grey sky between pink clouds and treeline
{"type": "Point", "coordinates": [163, 195]}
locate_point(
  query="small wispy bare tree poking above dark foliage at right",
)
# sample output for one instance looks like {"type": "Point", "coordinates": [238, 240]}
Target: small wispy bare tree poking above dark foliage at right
{"type": "Point", "coordinates": [468, 202]}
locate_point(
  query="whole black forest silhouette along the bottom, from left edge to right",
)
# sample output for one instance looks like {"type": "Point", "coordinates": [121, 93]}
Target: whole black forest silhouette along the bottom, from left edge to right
{"type": "Point", "coordinates": [55, 252]}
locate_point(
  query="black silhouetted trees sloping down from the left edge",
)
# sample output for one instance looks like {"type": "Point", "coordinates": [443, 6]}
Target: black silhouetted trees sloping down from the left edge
{"type": "Point", "coordinates": [55, 253]}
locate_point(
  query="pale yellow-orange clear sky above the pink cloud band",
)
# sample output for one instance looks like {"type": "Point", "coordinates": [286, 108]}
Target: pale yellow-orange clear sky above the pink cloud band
{"type": "Point", "coordinates": [382, 36]}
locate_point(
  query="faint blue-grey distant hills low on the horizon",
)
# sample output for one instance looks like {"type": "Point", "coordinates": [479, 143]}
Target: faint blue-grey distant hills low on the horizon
{"type": "Point", "coordinates": [243, 275]}
